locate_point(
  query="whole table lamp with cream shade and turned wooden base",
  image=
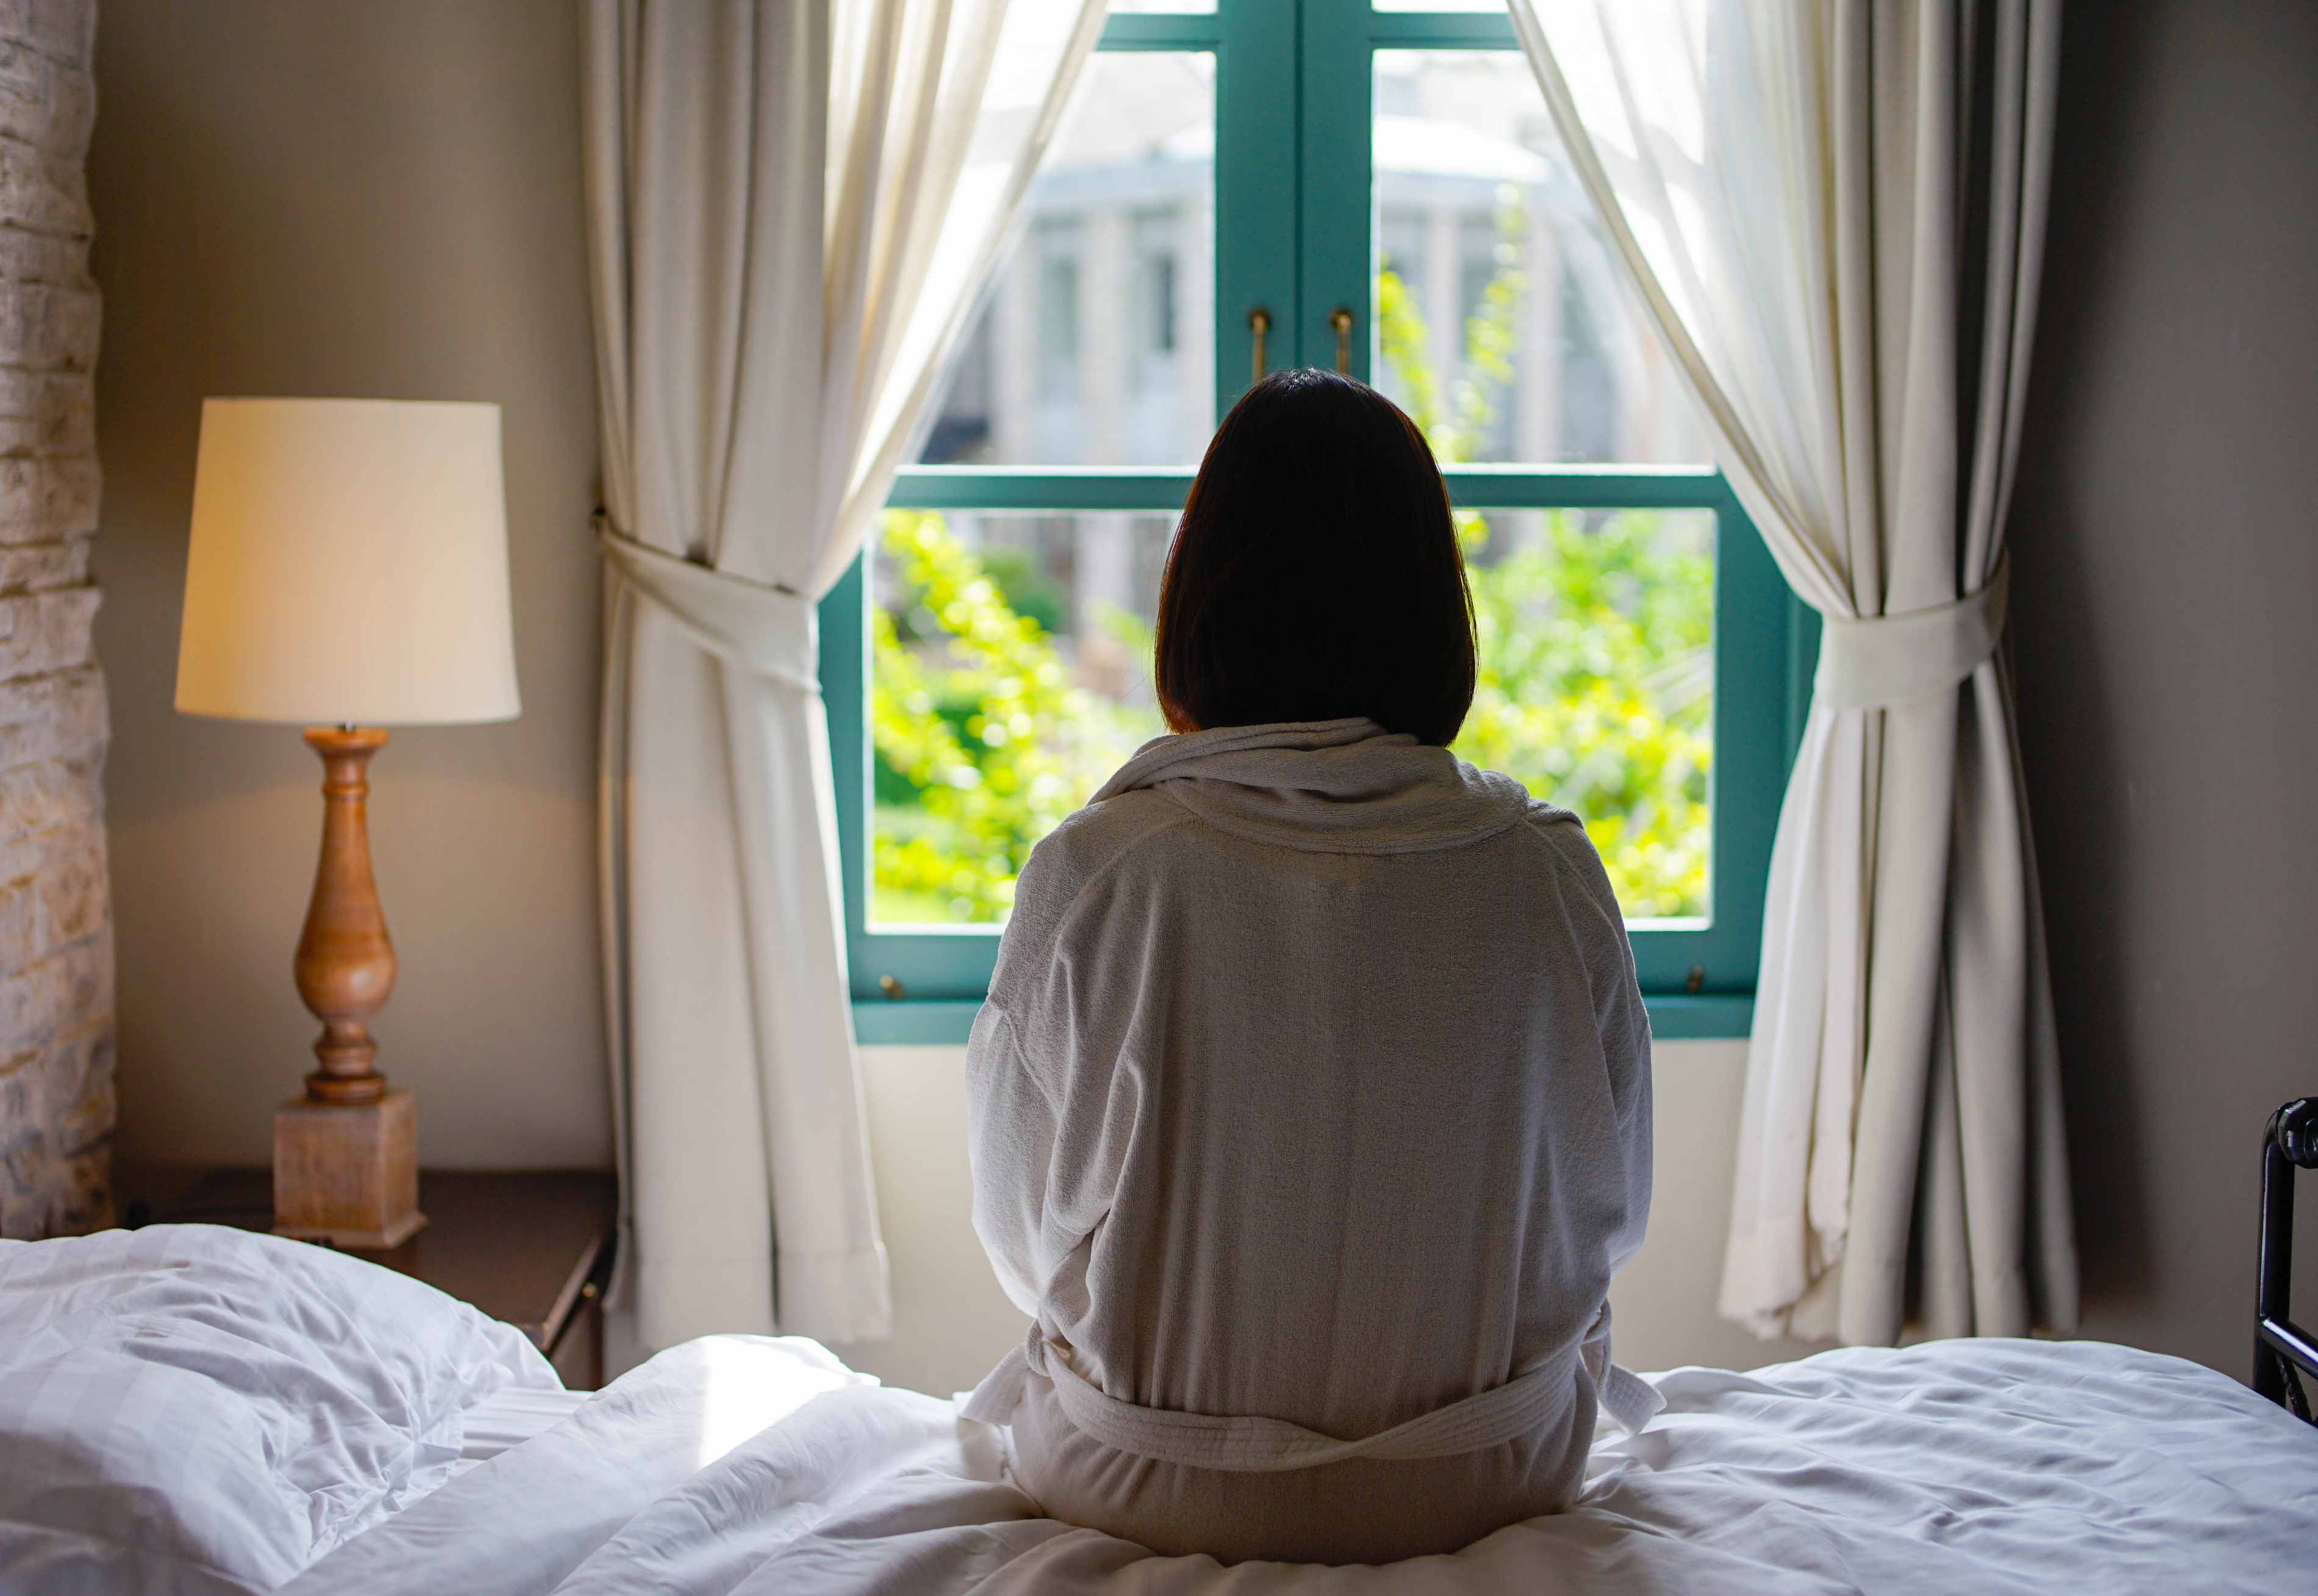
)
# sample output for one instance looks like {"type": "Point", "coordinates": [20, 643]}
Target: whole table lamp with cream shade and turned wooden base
{"type": "Point", "coordinates": [349, 571]}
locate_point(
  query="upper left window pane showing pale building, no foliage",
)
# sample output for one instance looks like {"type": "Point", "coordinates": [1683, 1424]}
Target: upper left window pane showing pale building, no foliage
{"type": "Point", "coordinates": [1093, 344]}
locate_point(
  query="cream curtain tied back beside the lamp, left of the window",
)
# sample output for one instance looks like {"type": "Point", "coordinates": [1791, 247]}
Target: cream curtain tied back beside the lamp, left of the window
{"type": "Point", "coordinates": [792, 210]}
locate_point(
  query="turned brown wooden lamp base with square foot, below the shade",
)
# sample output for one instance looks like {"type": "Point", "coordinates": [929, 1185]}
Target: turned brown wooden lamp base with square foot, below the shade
{"type": "Point", "coordinates": [347, 1152]}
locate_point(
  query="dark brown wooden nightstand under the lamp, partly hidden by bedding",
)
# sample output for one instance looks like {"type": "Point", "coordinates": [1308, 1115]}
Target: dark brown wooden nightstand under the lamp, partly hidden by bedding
{"type": "Point", "coordinates": [527, 1247]}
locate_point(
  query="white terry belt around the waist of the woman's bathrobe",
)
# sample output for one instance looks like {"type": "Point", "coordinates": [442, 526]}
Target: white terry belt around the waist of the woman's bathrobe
{"type": "Point", "coordinates": [1510, 1412]}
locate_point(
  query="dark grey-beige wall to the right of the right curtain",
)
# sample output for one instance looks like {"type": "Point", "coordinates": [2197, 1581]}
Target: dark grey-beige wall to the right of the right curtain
{"type": "Point", "coordinates": [2166, 578]}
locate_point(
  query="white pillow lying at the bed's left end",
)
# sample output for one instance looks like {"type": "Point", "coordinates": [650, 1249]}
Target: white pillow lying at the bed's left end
{"type": "Point", "coordinates": [207, 1410]}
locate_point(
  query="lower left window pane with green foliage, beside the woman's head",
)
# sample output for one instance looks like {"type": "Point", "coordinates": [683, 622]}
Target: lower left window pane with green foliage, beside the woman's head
{"type": "Point", "coordinates": [1009, 678]}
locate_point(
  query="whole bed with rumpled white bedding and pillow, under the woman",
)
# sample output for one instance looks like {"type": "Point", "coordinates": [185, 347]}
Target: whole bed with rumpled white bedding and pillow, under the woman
{"type": "Point", "coordinates": [203, 1410]}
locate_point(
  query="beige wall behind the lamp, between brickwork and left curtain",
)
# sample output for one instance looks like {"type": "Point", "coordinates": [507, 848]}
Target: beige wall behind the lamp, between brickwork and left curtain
{"type": "Point", "coordinates": [349, 198]}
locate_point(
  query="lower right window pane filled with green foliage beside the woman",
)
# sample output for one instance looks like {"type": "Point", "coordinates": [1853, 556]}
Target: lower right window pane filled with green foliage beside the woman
{"type": "Point", "coordinates": [1596, 684]}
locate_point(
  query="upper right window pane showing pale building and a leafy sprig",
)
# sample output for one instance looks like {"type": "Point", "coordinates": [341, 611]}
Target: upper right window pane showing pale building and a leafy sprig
{"type": "Point", "coordinates": [1503, 321]}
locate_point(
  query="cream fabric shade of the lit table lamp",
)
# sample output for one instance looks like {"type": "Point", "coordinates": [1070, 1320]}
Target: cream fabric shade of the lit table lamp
{"type": "Point", "coordinates": [349, 564]}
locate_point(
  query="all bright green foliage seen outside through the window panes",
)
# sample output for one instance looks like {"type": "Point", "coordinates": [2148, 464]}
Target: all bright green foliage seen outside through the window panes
{"type": "Point", "coordinates": [1596, 671]}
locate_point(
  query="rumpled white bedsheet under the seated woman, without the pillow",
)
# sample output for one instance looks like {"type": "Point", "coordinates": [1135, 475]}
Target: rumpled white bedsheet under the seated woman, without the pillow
{"type": "Point", "coordinates": [1946, 1467]}
